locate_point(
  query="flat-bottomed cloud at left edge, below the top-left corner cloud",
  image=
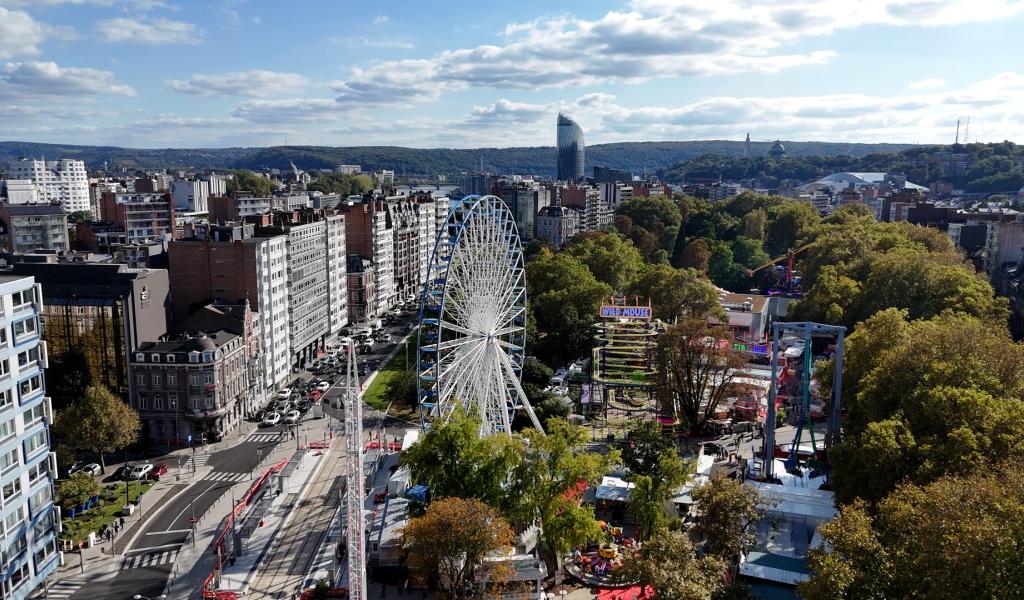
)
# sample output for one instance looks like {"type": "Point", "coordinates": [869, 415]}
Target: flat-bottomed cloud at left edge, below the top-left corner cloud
{"type": "Point", "coordinates": [35, 79]}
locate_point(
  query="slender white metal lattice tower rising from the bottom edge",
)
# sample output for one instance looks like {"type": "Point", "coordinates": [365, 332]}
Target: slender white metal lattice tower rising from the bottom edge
{"type": "Point", "coordinates": [356, 493]}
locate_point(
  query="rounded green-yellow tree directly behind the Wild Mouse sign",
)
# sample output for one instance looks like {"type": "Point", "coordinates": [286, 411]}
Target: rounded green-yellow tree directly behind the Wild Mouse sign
{"type": "Point", "coordinates": [674, 293]}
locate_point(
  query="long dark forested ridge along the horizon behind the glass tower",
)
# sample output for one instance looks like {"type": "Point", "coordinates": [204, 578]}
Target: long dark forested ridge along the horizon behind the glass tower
{"type": "Point", "coordinates": [637, 157]}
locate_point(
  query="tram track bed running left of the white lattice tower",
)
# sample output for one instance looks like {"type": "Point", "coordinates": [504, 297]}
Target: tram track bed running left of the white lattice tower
{"type": "Point", "coordinates": [296, 545]}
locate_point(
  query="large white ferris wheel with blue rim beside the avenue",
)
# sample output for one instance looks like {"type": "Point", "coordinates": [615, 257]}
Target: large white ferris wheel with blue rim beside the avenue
{"type": "Point", "coordinates": [474, 318]}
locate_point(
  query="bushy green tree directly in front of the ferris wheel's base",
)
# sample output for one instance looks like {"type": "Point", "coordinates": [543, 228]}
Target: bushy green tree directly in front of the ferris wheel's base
{"type": "Point", "coordinates": [453, 460]}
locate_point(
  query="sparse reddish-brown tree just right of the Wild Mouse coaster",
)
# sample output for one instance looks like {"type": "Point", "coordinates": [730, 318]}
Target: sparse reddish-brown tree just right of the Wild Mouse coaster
{"type": "Point", "coordinates": [696, 366]}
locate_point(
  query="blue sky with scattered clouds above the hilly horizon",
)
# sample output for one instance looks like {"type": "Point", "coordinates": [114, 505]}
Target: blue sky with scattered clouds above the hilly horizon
{"type": "Point", "coordinates": [459, 74]}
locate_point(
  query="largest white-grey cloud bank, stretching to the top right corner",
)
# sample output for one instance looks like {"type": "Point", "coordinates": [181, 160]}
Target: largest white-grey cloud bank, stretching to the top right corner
{"type": "Point", "coordinates": [655, 39]}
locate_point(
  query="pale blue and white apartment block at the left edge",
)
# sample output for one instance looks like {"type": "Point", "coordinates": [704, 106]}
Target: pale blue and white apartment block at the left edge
{"type": "Point", "coordinates": [31, 521]}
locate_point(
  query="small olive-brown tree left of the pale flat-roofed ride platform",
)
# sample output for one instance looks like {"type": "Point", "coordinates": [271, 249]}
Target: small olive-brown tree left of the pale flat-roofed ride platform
{"type": "Point", "coordinates": [729, 510]}
